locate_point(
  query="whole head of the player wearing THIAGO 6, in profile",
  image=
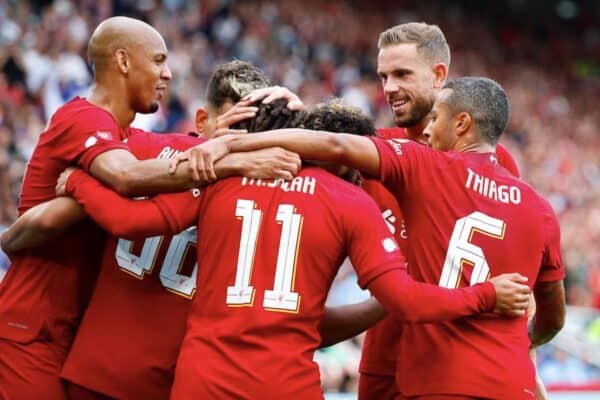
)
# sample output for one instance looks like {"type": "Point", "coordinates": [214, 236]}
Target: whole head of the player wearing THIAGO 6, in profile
{"type": "Point", "coordinates": [469, 108]}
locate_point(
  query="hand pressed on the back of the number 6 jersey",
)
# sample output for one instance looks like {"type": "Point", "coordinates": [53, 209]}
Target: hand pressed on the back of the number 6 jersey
{"type": "Point", "coordinates": [512, 294]}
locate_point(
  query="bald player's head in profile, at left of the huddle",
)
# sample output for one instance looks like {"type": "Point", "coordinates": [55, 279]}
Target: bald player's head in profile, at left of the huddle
{"type": "Point", "coordinates": [131, 57]}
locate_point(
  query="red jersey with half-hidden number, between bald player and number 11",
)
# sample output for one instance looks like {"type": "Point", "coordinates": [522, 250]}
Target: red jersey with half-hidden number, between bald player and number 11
{"type": "Point", "coordinates": [130, 335]}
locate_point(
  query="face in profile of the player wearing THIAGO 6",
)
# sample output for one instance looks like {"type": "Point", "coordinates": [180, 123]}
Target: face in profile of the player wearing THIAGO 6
{"type": "Point", "coordinates": [441, 131]}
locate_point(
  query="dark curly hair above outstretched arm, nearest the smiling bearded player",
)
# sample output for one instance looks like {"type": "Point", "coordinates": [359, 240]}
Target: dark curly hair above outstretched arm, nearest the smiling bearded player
{"type": "Point", "coordinates": [337, 116]}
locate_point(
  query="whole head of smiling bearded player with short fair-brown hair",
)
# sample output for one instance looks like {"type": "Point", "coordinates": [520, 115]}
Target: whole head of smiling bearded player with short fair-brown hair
{"type": "Point", "coordinates": [412, 65]}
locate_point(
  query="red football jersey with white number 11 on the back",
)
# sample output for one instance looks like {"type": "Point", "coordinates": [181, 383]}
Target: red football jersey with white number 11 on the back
{"type": "Point", "coordinates": [256, 248]}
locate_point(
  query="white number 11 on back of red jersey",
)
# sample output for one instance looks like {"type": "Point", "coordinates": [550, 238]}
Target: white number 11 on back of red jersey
{"type": "Point", "coordinates": [281, 297]}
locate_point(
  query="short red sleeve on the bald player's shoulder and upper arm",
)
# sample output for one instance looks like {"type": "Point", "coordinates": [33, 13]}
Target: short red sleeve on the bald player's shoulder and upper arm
{"type": "Point", "coordinates": [87, 134]}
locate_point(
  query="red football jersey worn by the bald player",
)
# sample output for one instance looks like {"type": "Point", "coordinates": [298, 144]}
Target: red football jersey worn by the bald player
{"type": "Point", "coordinates": [47, 288]}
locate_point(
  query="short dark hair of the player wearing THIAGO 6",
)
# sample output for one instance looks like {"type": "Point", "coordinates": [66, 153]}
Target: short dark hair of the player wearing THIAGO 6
{"type": "Point", "coordinates": [486, 102]}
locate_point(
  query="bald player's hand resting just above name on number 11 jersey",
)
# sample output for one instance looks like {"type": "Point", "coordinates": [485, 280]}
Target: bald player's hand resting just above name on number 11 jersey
{"type": "Point", "coordinates": [272, 163]}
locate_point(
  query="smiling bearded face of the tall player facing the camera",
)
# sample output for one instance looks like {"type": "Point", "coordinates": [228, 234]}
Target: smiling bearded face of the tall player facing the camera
{"type": "Point", "coordinates": [407, 81]}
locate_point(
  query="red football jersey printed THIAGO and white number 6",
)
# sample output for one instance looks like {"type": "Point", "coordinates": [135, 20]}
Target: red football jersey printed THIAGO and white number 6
{"type": "Point", "coordinates": [468, 219]}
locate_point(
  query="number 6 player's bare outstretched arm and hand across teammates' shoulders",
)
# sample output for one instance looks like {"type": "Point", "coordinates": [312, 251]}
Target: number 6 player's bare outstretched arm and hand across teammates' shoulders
{"type": "Point", "coordinates": [352, 150]}
